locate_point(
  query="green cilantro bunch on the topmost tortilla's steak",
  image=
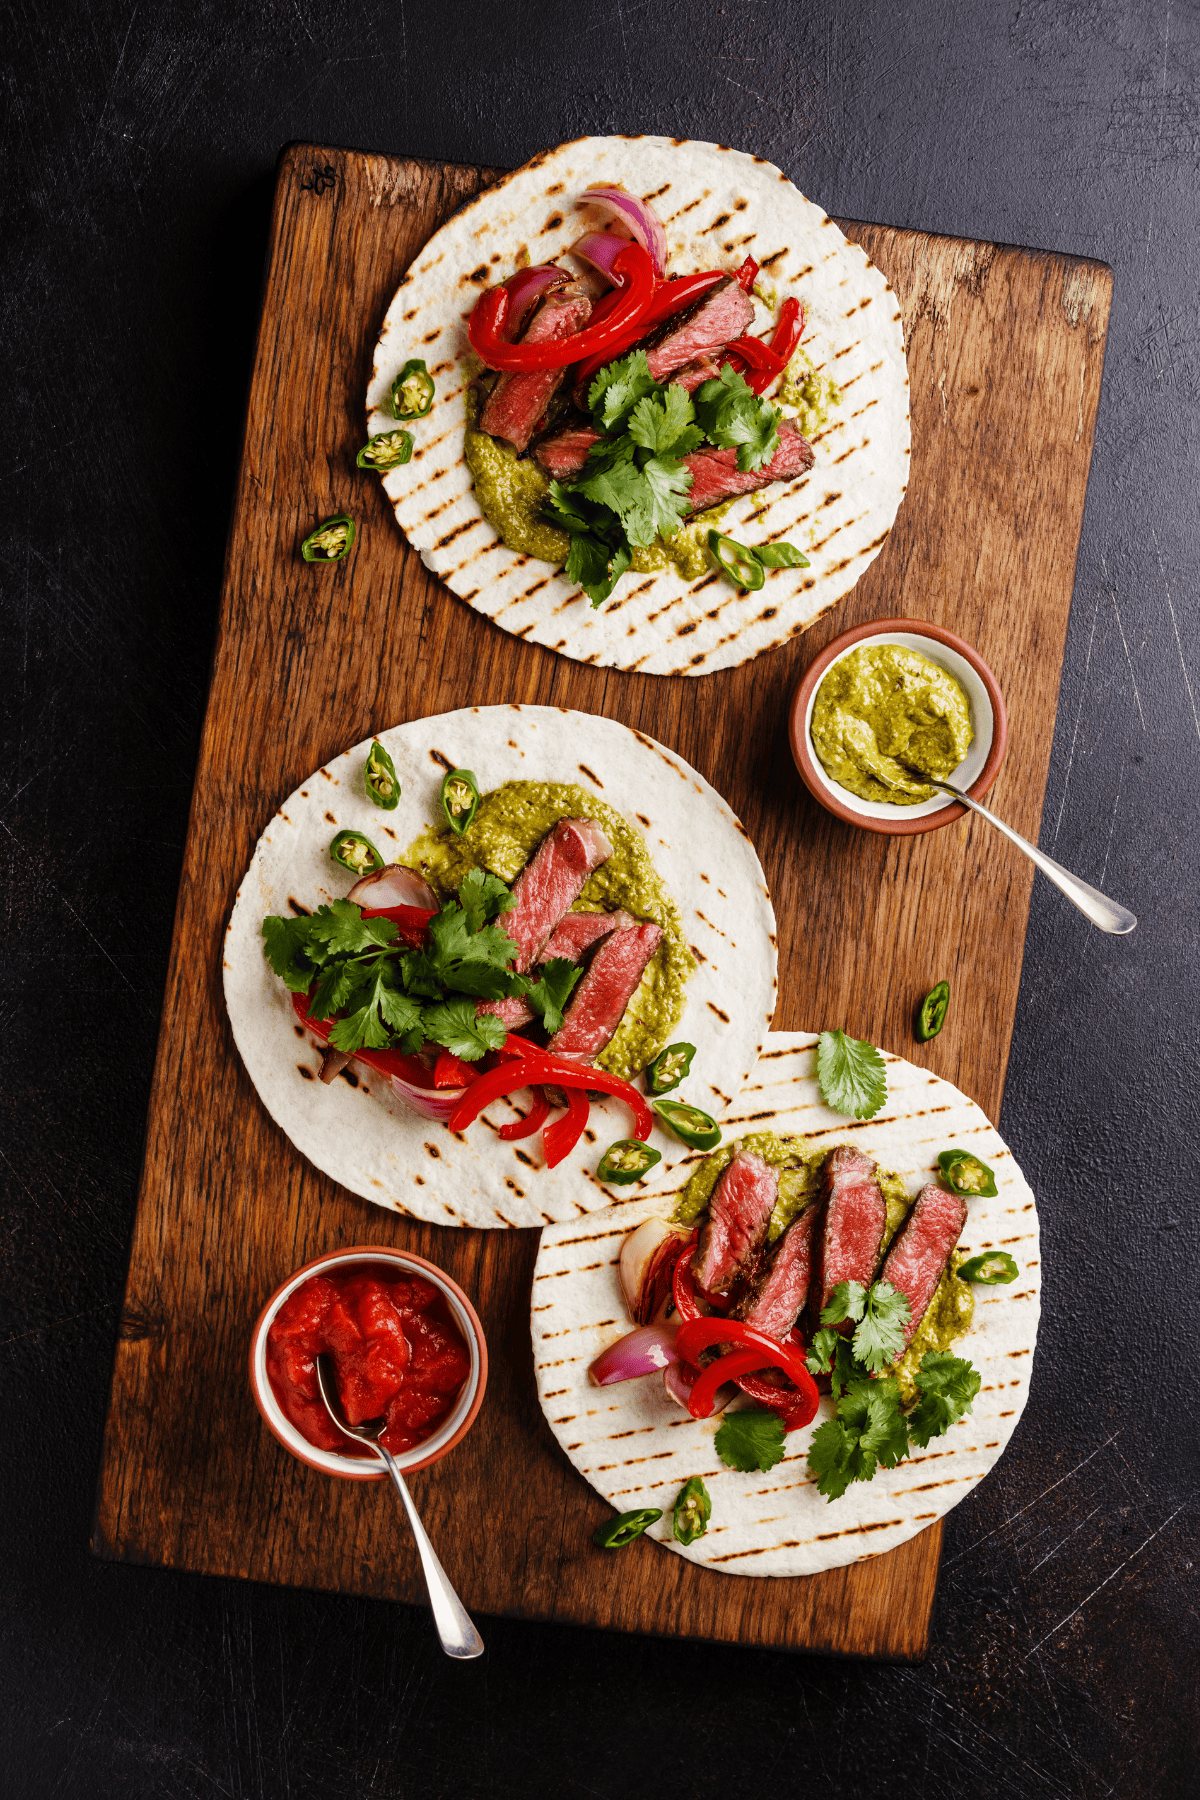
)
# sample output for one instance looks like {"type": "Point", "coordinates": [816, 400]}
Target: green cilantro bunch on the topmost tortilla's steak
{"type": "Point", "coordinates": [634, 485]}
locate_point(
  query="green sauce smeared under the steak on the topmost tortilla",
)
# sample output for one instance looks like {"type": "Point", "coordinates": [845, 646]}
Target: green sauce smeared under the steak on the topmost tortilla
{"type": "Point", "coordinates": [512, 494]}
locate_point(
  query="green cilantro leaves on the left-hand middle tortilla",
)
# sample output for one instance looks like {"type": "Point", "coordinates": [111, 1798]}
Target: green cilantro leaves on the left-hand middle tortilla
{"type": "Point", "coordinates": [381, 994]}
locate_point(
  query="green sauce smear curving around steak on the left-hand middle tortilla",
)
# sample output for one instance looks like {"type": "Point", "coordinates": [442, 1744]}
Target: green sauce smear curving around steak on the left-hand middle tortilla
{"type": "Point", "coordinates": [506, 831]}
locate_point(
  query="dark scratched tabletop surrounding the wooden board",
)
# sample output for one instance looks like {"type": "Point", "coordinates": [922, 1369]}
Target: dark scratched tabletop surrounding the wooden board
{"type": "Point", "coordinates": [139, 145]}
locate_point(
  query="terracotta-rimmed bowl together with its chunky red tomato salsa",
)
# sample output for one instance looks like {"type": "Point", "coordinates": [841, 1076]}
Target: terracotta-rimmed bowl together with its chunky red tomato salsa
{"type": "Point", "coordinates": [406, 1345]}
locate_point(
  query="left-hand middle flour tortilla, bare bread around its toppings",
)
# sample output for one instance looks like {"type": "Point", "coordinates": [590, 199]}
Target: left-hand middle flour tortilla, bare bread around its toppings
{"type": "Point", "coordinates": [357, 1129]}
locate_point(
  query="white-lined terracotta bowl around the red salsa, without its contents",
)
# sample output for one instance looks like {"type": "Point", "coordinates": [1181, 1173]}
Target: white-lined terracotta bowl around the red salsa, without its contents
{"type": "Point", "coordinates": [422, 1455]}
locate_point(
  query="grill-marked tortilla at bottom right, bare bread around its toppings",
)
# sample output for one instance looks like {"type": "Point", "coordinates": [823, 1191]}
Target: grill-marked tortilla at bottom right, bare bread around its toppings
{"type": "Point", "coordinates": [638, 1448]}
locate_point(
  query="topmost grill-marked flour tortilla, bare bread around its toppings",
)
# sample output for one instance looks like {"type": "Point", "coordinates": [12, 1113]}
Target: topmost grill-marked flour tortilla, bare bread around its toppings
{"type": "Point", "coordinates": [719, 206]}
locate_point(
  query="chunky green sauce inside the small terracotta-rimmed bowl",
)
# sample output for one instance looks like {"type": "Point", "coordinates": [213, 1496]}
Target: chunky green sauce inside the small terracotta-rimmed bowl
{"type": "Point", "coordinates": [886, 715]}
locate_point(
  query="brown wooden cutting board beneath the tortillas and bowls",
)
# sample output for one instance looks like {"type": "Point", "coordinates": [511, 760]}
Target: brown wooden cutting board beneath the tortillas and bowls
{"type": "Point", "coordinates": [1005, 359]}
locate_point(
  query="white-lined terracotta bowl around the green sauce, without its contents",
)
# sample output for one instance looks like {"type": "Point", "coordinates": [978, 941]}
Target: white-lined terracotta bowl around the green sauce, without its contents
{"type": "Point", "coordinates": [974, 775]}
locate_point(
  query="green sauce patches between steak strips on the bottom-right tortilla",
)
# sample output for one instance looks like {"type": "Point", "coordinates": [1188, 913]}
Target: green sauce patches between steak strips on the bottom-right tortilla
{"type": "Point", "coordinates": [953, 1308]}
